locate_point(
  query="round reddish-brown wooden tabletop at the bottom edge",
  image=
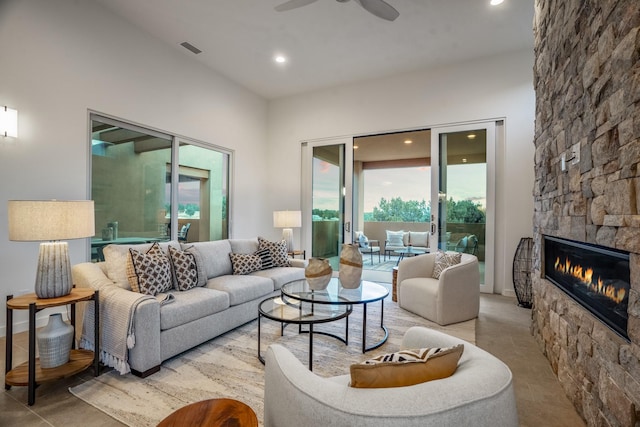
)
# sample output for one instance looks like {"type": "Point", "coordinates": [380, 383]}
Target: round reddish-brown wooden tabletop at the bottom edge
{"type": "Point", "coordinates": [212, 413]}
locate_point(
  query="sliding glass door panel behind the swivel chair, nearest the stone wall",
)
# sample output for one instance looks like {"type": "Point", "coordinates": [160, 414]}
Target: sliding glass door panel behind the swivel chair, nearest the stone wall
{"type": "Point", "coordinates": [463, 183]}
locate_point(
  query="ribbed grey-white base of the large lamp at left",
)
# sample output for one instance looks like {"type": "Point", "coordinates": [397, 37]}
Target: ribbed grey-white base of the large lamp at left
{"type": "Point", "coordinates": [53, 278]}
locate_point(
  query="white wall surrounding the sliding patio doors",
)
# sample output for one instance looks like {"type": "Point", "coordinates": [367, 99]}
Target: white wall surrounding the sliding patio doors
{"type": "Point", "coordinates": [498, 87]}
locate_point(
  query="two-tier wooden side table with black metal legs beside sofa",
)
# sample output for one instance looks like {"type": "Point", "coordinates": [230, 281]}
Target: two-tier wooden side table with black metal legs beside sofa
{"type": "Point", "coordinates": [30, 373]}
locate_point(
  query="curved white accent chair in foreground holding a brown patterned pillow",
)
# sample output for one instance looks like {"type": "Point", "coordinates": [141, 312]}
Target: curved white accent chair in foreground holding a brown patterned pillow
{"type": "Point", "coordinates": [479, 393]}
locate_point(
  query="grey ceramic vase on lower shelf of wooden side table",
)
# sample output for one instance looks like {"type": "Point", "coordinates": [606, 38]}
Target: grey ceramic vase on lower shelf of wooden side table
{"type": "Point", "coordinates": [54, 342]}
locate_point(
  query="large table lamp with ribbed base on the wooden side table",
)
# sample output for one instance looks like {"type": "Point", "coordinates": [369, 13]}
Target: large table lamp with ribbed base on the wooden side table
{"type": "Point", "coordinates": [51, 221]}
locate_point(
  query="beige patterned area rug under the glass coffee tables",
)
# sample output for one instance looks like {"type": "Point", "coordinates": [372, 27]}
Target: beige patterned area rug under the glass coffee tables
{"type": "Point", "coordinates": [227, 366]}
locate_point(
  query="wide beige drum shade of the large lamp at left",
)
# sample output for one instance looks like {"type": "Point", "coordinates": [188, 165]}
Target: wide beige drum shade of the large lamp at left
{"type": "Point", "coordinates": [41, 220]}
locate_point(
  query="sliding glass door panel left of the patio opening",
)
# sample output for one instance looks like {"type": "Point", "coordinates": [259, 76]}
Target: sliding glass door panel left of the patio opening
{"type": "Point", "coordinates": [327, 207]}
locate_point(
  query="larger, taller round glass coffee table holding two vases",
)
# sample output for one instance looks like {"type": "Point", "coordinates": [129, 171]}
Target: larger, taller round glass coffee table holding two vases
{"type": "Point", "coordinates": [336, 295]}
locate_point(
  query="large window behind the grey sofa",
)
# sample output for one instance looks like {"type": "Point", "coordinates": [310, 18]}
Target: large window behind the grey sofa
{"type": "Point", "coordinates": [134, 191]}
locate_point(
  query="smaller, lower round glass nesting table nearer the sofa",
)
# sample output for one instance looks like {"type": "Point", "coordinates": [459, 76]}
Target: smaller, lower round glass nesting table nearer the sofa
{"type": "Point", "coordinates": [290, 311]}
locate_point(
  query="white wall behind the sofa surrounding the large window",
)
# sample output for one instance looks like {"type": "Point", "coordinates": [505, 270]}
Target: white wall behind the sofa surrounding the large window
{"type": "Point", "coordinates": [61, 58]}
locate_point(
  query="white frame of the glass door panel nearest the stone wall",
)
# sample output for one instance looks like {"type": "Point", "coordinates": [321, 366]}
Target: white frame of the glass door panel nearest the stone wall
{"type": "Point", "coordinates": [490, 128]}
